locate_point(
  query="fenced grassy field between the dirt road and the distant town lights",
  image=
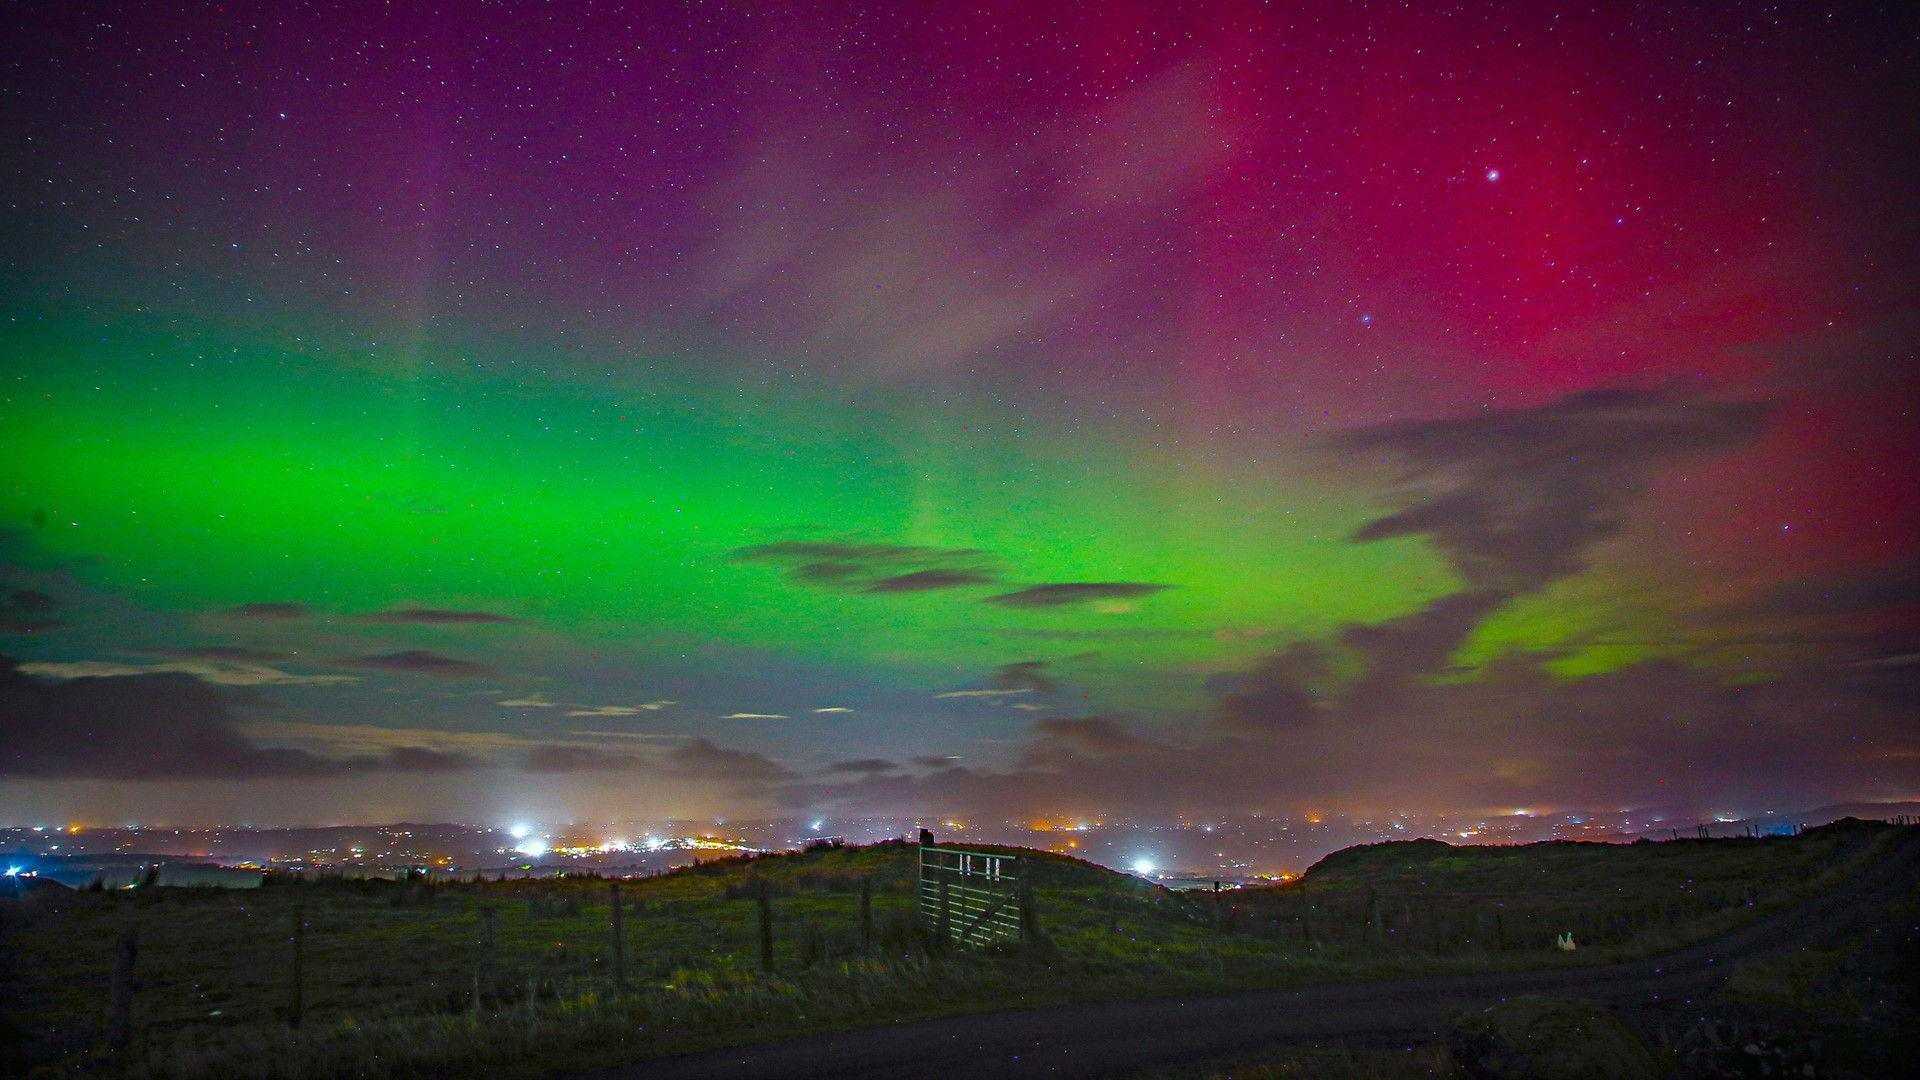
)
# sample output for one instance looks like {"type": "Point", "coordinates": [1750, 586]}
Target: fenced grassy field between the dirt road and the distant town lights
{"type": "Point", "coordinates": [398, 979]}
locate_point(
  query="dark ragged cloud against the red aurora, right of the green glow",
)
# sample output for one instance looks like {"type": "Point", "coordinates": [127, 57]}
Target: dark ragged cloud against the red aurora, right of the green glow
{"type": "Point", "coordinates": [1516, 499]}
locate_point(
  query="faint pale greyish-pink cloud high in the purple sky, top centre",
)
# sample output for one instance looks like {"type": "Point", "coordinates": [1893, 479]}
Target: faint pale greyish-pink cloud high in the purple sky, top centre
{"type": "Point", "coordinates": [869, 258]}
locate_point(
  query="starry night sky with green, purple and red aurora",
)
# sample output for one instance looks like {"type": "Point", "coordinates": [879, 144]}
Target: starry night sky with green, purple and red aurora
{"type": "Point", "coordinates": [573, 412]}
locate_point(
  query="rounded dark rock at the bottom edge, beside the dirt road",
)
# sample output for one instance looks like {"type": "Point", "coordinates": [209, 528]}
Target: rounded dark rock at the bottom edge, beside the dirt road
{"type": "Point", "coordinates": [1539, 1039]}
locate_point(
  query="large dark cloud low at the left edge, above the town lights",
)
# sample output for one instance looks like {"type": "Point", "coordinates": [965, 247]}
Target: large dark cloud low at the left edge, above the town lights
{"type": "Point", "coordinates": [158, 727]}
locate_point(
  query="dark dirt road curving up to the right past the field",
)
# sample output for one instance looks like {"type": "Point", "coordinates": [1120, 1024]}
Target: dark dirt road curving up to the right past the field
{"type": "Point", "coordinates": [1124, 1037]}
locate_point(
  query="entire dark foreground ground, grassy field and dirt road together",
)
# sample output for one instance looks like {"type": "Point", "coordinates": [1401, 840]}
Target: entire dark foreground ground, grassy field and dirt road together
{"type": "Point", "coordinates": [1393, 941]}
